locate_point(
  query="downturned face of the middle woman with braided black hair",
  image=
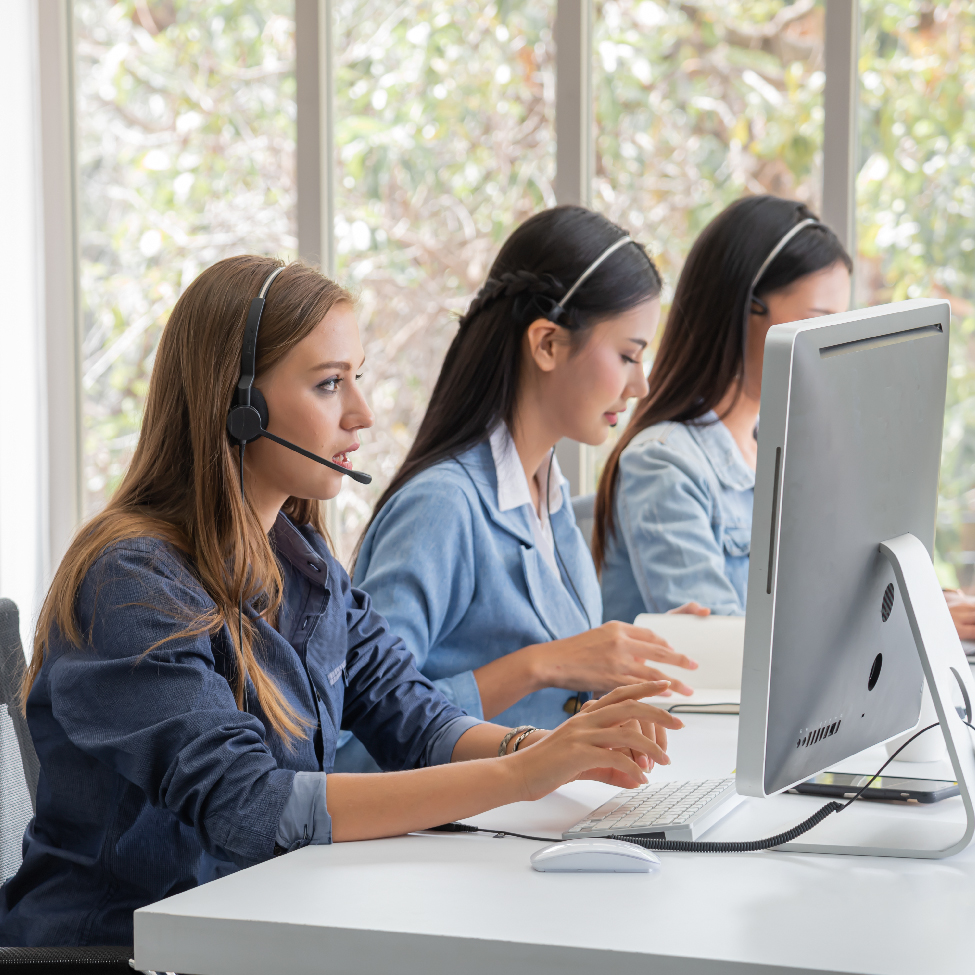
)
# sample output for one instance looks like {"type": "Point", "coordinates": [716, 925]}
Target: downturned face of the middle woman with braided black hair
{"type": "Point", "coordinates": [590, 385]}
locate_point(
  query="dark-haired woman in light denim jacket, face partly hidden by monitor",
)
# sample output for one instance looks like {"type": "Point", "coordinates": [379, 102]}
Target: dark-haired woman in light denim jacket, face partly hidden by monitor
{"type": "Point", "coordinates": [674, 506]}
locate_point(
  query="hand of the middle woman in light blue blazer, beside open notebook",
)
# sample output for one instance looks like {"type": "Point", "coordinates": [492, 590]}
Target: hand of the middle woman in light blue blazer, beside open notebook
{"type": "Point", "coordinates": [612, 655]}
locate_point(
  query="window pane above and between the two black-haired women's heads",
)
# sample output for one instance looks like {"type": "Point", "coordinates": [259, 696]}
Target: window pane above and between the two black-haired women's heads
{"type": "Point", "coordinates": [697, 105]}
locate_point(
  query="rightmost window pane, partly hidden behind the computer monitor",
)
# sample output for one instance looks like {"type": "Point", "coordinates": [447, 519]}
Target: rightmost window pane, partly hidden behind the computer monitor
{"type": "Point", "coordinates": [916, 214]}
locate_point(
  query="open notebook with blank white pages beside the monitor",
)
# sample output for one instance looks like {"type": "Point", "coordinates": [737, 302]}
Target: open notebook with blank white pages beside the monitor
{"type": "Point", "coordinates": [715, 642]}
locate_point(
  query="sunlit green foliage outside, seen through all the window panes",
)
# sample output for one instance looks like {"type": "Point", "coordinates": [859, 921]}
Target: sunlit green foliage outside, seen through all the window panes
{"type": "Point", "coordinates": [444, 135]}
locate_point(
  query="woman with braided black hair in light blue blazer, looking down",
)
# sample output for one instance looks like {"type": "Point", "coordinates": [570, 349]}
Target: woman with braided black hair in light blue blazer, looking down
{"type": "Point", "coordinates": [473, 554]}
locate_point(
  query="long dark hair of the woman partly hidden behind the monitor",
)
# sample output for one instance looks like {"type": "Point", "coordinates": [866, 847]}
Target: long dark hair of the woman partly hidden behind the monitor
{"type": "Point", "coordinates": [701, 351]}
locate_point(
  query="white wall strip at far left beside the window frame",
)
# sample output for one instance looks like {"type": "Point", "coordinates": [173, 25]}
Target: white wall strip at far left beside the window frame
{"type": "Point", "coordinates": [23, 452]}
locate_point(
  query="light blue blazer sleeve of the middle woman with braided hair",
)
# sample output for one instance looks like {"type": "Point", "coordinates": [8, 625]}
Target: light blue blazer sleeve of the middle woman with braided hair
{"type": "Point", "coordinates": [418, 568]}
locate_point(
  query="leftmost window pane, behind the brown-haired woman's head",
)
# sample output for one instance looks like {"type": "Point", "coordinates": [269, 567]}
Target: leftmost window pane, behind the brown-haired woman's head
{"type": "Point", "coordinates": [185, 120]}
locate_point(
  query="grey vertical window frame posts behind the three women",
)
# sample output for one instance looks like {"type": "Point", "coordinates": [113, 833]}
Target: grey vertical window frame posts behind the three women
{"type": "Point", "coordinates": [314, 66]}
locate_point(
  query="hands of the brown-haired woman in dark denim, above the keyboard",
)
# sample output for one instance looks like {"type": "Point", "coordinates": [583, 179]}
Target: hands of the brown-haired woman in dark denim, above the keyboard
{"type": "Point", "coordinates": [614, 740]}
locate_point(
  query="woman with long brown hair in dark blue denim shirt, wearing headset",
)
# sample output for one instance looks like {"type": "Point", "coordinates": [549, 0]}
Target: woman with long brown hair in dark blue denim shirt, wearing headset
{"type": "Point", "coordinates": [174, 747]}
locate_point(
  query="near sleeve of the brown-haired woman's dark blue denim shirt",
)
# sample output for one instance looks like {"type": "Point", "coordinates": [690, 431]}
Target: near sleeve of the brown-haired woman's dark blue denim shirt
{"type": "Point", "coordinates": [168, 722]}
